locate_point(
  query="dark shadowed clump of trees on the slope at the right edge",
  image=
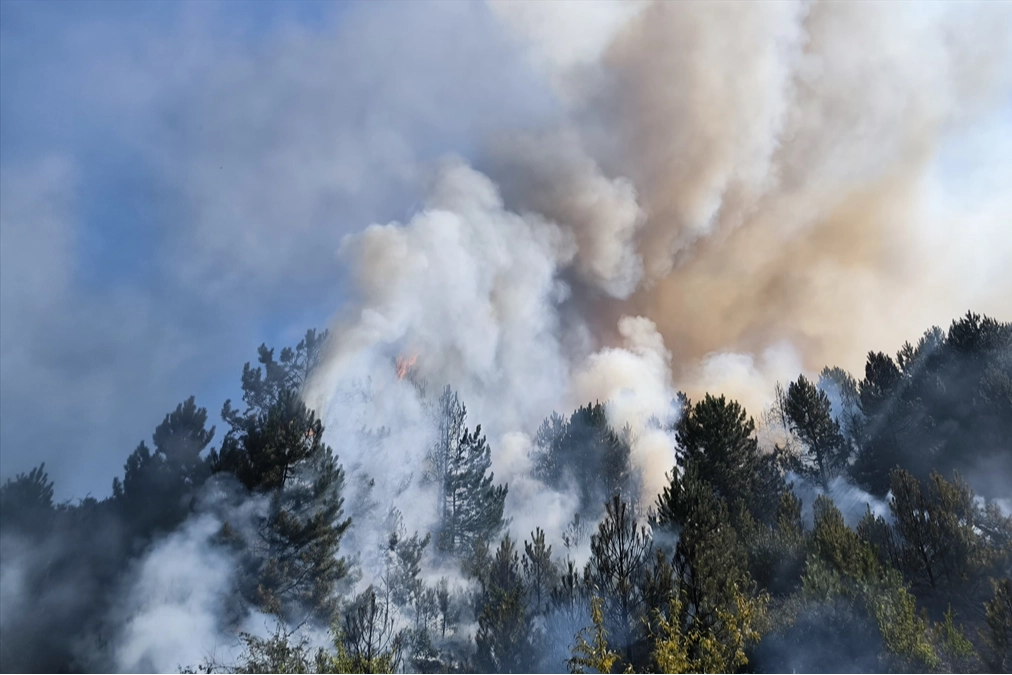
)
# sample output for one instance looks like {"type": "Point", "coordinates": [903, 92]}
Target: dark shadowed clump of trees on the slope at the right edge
{"type": "Point", "coordinates": [942, 406]}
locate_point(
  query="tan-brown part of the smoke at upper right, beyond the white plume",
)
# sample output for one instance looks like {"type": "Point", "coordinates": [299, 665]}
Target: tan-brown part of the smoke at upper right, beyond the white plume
{"type": "Point", "coordinates": [781, 155]}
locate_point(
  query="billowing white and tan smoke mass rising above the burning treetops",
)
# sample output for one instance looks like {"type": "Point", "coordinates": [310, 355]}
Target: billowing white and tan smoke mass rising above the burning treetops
{"type": "Point", "coordinates": [736, 194]}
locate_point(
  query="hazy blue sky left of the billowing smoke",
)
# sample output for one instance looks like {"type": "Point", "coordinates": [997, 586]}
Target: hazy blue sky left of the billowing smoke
{"type": "Point", "coordinates": [178, 179]}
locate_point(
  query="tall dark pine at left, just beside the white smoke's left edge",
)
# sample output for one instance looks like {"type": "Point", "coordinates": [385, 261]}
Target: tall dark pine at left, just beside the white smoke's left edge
{"type": "Point", "coordinates": [276, 449]}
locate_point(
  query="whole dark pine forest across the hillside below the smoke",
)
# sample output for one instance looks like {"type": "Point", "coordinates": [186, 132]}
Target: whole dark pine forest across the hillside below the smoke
{"type": "Point", "coordinates": [727, 571]}
